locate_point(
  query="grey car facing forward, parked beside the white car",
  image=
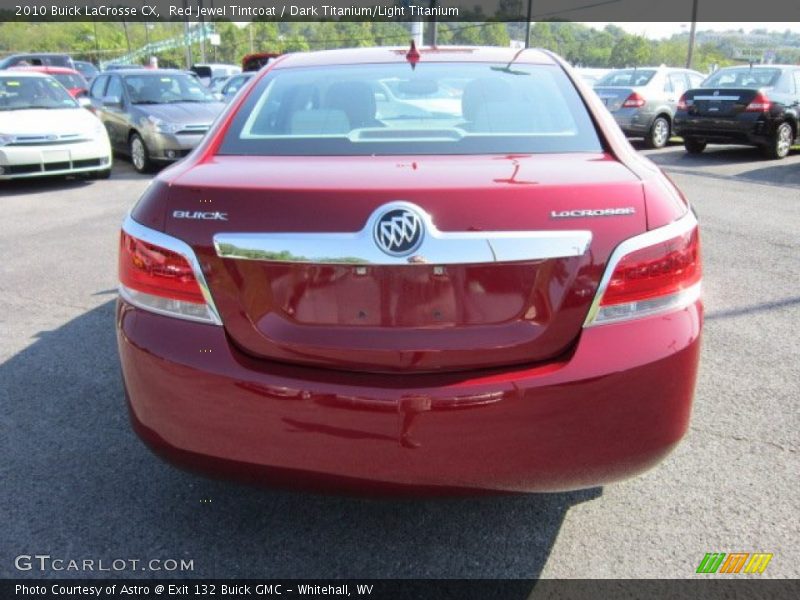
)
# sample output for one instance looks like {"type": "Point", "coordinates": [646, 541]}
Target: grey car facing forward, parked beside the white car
{"type": "Point", "coordinates": [153, 115]}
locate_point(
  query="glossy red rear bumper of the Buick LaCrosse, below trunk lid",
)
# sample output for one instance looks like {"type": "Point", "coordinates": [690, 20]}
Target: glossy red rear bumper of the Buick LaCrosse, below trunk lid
{"type": "Point", "coordinates": [612, 409]}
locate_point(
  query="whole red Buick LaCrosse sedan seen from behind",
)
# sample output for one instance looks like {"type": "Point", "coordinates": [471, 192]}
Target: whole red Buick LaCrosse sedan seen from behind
{"type": "Point", "coordinates": [439, 270]}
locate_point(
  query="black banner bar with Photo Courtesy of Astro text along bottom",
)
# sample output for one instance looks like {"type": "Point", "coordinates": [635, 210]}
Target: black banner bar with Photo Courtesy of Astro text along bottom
{"type": "Point", "coordinates": [707, 588]}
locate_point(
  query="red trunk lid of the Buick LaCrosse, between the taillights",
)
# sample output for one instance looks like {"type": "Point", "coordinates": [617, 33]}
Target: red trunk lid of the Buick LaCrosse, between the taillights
{"type": "Point", "coordinates": [431, 314]}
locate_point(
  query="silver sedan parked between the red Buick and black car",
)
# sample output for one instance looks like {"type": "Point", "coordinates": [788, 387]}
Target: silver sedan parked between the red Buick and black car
{"type": "Point", "coordinates": [643, 100]}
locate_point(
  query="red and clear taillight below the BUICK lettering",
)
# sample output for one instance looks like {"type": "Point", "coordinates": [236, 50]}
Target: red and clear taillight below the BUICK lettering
{"type": "Point", "coordinates": [159, 273]}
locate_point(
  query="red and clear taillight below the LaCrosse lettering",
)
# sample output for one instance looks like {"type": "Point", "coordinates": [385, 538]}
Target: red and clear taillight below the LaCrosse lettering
{"type": "Point", "coordinates": [652, 273]}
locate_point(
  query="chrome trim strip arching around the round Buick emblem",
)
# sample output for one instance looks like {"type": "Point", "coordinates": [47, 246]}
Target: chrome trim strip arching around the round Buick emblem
{"type": "Point", "coordinates": [437, 247]}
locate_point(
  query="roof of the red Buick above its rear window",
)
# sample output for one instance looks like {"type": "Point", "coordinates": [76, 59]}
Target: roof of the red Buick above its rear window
{"type": "Point", "coordinates": [356, 56]}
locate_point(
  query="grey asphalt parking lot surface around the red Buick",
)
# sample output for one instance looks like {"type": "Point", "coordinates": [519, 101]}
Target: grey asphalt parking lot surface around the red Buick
{"type": "Point", "coordinates": [78, 484]}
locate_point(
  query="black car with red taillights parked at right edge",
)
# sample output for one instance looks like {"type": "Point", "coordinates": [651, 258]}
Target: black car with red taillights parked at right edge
{"type": "Point", "coordinates": [756, 105]}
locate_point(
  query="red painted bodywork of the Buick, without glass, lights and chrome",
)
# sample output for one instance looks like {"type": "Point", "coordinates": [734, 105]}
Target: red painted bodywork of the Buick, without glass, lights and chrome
{"type": "Point", "coordinates": [467, 378]}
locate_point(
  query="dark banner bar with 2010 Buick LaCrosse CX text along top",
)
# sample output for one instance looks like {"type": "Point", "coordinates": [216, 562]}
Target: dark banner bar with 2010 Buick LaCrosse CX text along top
{"type": "Point", "coordinates": [743, 11]}
